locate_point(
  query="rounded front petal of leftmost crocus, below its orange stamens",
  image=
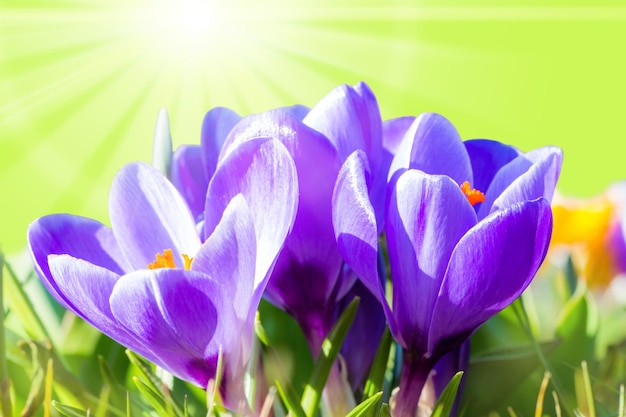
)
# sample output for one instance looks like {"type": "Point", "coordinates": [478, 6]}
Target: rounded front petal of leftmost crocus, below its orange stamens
{"type": "Point", "coordinates": [181, 315]}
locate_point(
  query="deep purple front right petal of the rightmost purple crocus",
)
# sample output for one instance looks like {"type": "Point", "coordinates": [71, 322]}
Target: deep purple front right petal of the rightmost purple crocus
{"type": "Point", "coordinates": [490, 267]}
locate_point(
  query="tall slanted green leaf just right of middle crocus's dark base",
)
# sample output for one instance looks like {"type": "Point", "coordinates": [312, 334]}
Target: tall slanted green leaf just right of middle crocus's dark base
{"type": "Point", "coordinates": [330, 349]}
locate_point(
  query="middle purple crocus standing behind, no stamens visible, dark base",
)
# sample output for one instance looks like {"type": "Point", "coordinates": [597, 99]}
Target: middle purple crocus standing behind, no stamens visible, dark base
{"type": "Point", "coordinates": [307, 280]}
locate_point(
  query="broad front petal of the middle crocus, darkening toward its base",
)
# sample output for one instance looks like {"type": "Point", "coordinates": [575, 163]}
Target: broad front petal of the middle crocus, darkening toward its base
{"type": "Point", "coordinates": [304, 280]}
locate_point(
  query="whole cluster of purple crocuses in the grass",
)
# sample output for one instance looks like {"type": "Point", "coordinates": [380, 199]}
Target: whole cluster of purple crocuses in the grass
{"type": "Point", "coordinates": [291, 205]}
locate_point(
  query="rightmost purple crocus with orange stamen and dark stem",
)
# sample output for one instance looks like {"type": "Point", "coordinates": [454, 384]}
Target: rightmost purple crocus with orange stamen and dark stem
{"type": "Point", "coordinates": [457, 255]}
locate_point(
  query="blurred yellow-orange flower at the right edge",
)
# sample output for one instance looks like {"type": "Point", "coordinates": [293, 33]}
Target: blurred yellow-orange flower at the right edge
{"type": "Point", "coordinates": [592, 231]}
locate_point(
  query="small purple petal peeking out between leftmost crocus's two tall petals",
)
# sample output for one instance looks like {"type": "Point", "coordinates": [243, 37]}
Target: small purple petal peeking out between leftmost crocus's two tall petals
{"type": "Point", "coordinates": [188, 176]}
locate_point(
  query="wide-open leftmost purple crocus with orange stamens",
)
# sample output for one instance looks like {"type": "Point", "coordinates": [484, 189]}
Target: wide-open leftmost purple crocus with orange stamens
{"type": "Point", "coordinates": [180, 307]}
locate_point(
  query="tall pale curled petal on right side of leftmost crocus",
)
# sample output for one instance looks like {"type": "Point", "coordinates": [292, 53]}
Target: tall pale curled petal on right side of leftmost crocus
{"type": "Point", "coordinates": [263, 171]}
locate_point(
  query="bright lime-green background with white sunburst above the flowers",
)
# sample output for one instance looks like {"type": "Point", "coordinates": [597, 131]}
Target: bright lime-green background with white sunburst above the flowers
{"type": "Point", "coordinates": [82, 81]}
